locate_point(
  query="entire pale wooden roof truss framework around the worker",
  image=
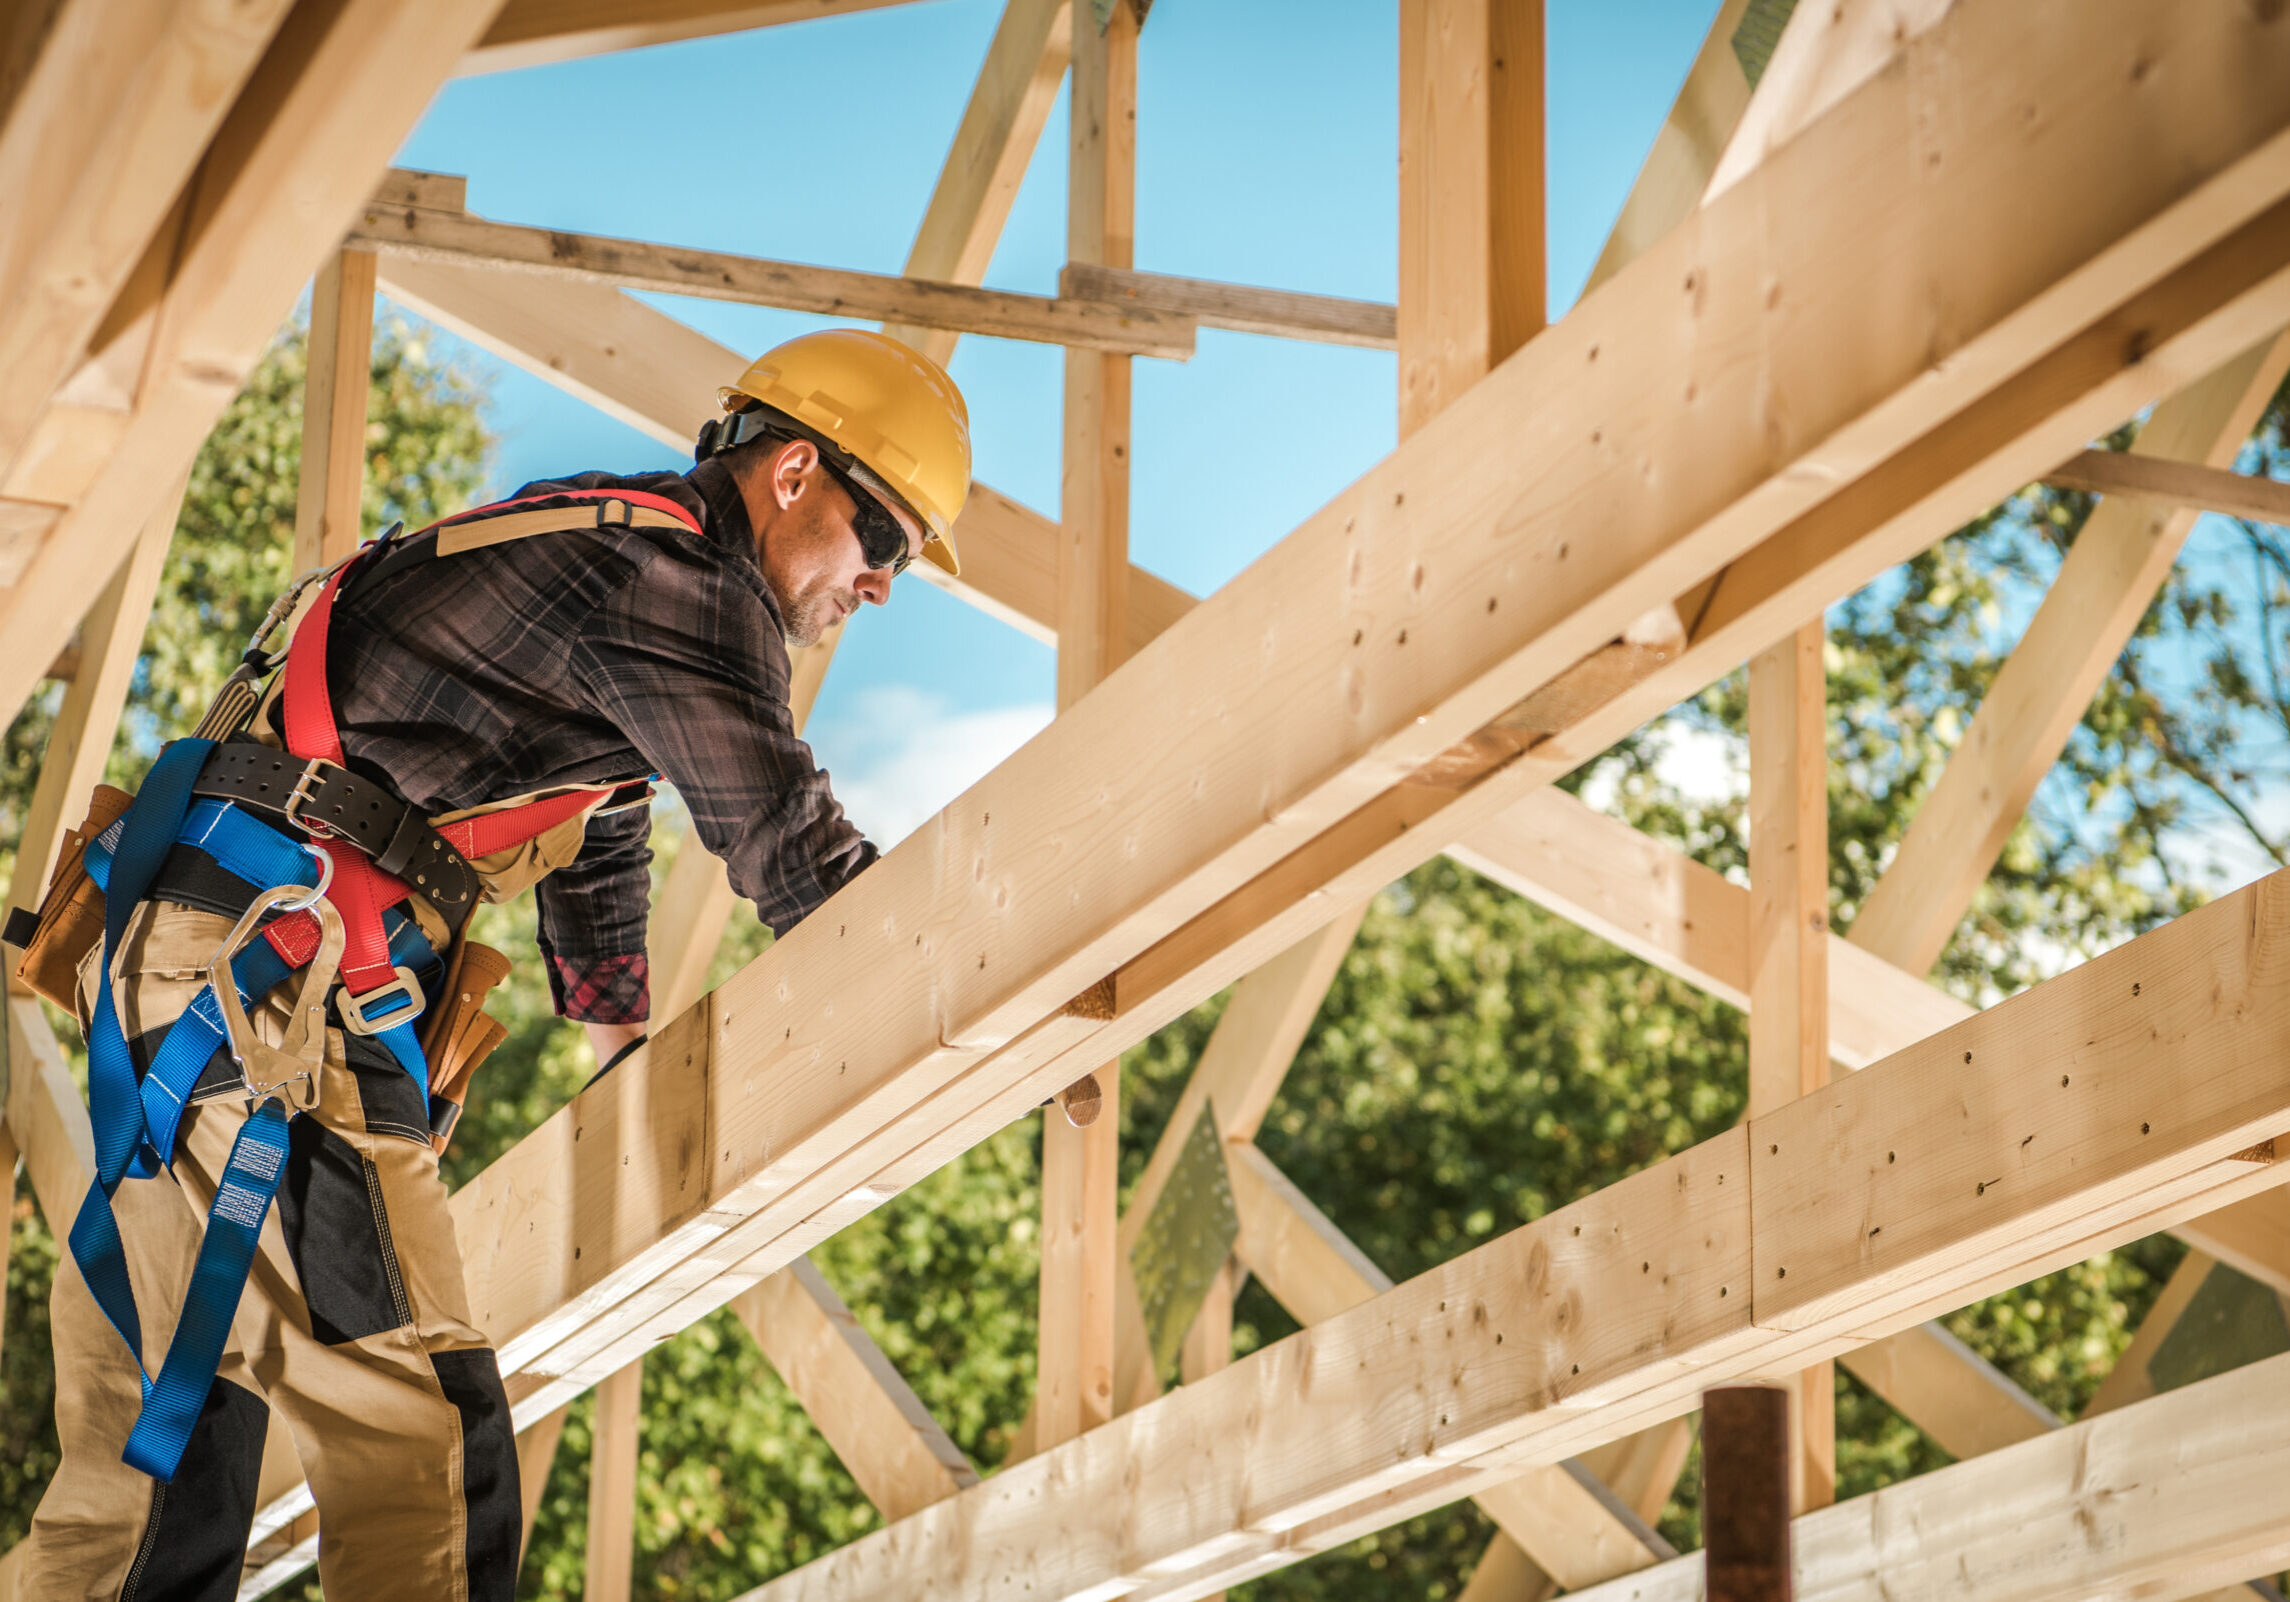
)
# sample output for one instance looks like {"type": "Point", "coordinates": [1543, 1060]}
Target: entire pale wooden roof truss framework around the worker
{"type": "Point", "coordinates": [1884, 267]}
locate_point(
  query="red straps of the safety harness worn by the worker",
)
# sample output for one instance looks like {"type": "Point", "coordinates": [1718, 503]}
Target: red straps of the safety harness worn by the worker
{"type": "Point", "coordinates": [363, 891]}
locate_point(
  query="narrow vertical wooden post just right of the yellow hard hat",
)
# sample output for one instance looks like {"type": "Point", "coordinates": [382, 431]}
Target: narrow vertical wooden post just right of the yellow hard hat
{"type": "Point", "coordinates": [1080, 1166]}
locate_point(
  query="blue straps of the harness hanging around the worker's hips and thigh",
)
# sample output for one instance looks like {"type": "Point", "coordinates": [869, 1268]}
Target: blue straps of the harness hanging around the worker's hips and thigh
{"type": "Point", "coordinates": [136, 1123]}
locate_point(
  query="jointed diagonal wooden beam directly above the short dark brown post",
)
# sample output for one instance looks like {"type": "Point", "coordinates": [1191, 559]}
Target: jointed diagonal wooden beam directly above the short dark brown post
{"type": "Point", "coordinates": [1893, 1193]}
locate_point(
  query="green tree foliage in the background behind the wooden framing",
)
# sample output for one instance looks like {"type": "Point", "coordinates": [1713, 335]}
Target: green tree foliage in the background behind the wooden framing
{"type": "Point", "coordinates": [1476, 1065]}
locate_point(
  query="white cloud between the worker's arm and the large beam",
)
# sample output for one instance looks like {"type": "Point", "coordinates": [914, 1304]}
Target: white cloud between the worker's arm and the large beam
{"type": "Point", "coordinates": [906, 754]}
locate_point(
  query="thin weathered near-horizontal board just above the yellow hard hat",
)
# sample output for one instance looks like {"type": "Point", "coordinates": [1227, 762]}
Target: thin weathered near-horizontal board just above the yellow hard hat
{"type": "Point", "coordinates": [757, 283]}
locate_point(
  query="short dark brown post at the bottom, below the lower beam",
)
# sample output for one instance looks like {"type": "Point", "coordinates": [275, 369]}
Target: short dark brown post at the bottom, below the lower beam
{"type": "Point", "coordinates": [1746, 1493]}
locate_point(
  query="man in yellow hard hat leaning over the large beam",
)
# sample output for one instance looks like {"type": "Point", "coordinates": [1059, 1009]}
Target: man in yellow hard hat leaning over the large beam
{"type": "Point", "coordinates": [574, 642]}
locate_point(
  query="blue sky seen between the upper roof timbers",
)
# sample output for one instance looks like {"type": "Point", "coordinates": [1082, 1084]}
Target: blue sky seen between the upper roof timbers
{"type": "Point", "coordinates": [1268, 154]}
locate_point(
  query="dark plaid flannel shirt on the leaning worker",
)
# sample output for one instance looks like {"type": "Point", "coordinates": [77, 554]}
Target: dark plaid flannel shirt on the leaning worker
{"type": "Point", "coordinates": [601, 656]}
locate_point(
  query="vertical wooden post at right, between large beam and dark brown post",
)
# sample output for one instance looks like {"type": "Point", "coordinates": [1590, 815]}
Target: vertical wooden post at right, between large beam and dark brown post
{"type": "Point", "coordinates": [1790, 946]}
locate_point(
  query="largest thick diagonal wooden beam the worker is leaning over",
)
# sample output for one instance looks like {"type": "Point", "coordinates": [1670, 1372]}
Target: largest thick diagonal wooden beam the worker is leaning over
{"type": "Point", "coordinates": [1265, 750]}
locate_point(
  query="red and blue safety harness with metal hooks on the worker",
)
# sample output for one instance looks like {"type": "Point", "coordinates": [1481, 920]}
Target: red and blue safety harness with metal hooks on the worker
{"type": "Point", "coordinates": [329, 864]}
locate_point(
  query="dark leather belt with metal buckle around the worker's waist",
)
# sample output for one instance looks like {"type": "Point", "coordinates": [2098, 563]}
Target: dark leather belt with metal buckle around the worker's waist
{"type": "Point", "coordinates": [329, 800]}
